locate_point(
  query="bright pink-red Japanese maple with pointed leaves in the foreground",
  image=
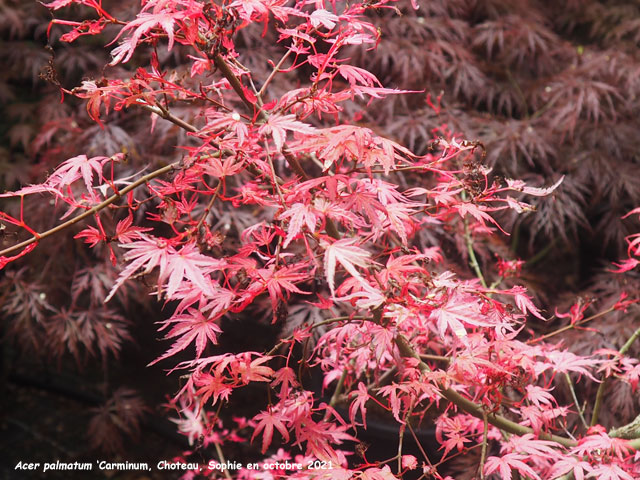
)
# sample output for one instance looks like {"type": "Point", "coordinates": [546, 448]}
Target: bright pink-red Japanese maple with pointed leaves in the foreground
{"type": "Point", "coordinates": [280, 202]}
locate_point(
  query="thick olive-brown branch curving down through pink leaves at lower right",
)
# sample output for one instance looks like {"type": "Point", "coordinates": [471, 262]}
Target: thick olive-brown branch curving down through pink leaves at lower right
{"type": "Point", "coordinates": [474, 409]}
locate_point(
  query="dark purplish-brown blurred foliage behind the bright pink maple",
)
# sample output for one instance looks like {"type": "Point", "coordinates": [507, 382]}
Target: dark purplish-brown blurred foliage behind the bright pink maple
{"type": "Point", "coordinates": [551, 89]}
